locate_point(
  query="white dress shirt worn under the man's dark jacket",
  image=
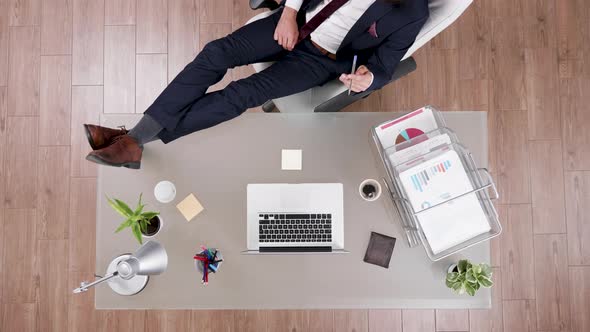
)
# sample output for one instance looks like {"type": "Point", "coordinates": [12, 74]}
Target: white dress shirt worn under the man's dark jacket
{"type": "Point", "coordinates": [331, 33]}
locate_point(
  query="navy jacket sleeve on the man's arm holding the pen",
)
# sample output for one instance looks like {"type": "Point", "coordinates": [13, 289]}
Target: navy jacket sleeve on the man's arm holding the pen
{"type": "Point", "coordinates": [386, 57]}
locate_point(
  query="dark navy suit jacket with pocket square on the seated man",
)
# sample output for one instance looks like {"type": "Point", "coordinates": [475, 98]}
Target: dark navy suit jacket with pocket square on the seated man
{"type": "Point", "coordinates": [397, 27]}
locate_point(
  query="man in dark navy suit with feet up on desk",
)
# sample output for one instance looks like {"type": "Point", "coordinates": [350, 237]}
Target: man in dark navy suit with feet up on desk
{"type": "Point", "coordinates": [311, 42]}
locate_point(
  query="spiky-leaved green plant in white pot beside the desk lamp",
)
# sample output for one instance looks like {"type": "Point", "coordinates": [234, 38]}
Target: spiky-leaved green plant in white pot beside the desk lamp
{"type": "Point", "coordinates": [141, 223]}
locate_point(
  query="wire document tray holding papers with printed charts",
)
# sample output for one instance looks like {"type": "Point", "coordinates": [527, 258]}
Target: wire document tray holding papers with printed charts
{"type": "Point", "coordinates": [415, 150]}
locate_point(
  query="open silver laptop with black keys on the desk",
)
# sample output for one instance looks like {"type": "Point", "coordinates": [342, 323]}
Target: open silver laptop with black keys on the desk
{"type": "Point", "coordinates": [295, 218]}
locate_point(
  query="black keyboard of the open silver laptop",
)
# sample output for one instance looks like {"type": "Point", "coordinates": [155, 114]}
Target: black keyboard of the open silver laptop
{"type": "Point", "coordinates": [286, 227]}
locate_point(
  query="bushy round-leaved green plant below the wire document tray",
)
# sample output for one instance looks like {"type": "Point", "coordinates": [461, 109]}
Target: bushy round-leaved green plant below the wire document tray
{"type": "Point", "coordinates": [466, 277]}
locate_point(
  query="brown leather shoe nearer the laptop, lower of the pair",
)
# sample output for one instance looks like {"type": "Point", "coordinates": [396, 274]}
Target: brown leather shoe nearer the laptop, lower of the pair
{"type": "Point", "coordinates": [123, 152]}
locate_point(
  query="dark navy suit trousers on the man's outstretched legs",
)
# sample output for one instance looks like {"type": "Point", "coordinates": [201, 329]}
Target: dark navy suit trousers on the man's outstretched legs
{"type": "Point", "coordinates": [184, 106]}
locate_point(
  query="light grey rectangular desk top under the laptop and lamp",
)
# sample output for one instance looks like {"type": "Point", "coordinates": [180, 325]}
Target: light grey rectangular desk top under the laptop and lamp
{"type": "Point", "coordinates": [218, 163]}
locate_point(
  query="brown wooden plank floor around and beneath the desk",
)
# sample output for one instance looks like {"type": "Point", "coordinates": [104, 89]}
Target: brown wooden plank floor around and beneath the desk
{"type": "Point", "coordinates": [63, 62]}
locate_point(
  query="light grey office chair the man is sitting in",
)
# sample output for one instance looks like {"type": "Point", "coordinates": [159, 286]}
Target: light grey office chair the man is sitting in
{"type": "Point", "coordinates": [333, 96]}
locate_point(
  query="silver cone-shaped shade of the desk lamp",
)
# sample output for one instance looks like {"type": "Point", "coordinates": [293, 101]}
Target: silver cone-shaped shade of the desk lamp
{"type": "Point", "coordinates": [149, 259]}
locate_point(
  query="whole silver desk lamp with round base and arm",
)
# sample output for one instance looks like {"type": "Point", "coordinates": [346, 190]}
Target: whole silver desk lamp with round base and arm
{"type": "Point", "coordinates": [128, 274]}
